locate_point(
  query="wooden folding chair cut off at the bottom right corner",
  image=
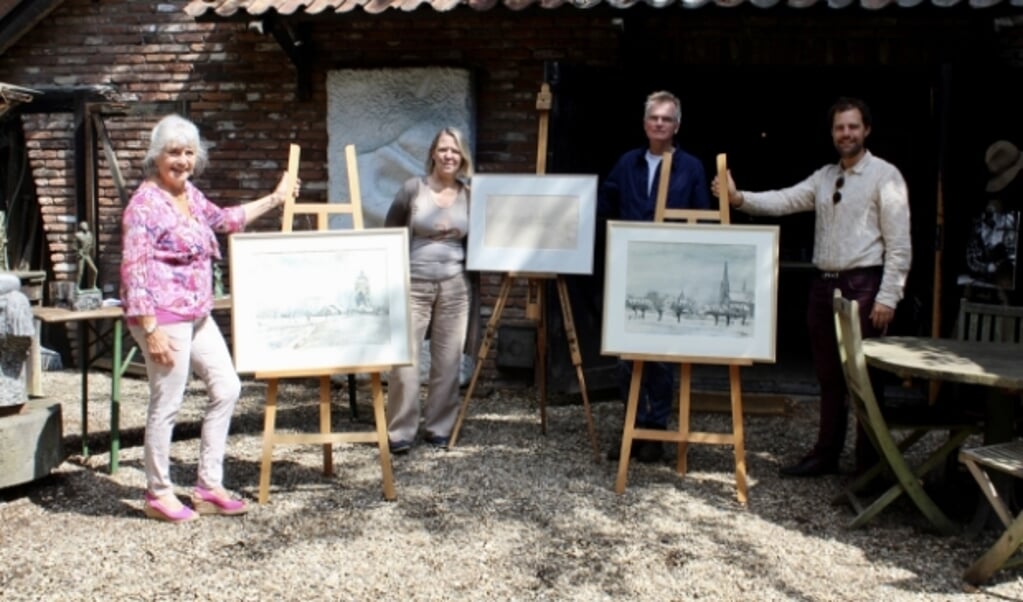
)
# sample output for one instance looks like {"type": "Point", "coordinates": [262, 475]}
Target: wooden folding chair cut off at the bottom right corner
{"type": "Point", "coordinates": [1007, 459]}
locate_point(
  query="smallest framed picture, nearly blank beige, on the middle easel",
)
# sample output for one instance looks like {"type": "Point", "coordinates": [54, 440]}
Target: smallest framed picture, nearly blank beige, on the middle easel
{"type": "Point", "coordinates": [532, 224]}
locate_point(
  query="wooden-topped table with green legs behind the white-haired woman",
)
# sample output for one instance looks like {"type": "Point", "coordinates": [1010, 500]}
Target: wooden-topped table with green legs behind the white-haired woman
{"type": "Point", "coordinates": [83, 320]}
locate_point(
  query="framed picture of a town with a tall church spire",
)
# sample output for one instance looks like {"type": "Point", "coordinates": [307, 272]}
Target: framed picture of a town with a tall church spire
{"type": "Point", "coordinates": [719, 306]}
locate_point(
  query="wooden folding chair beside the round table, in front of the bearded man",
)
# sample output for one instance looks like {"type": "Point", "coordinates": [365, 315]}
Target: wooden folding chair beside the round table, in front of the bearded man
{"type": "Point", "coordinates": [879, 431]}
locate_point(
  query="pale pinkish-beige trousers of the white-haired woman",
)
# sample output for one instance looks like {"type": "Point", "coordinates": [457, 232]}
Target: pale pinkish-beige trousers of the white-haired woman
{"type": "Point", "coordinates": [198, 347]}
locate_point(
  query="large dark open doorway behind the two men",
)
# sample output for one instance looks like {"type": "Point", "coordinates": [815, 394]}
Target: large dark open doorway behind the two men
{"type": "Point", "coordinates": [774, 127]}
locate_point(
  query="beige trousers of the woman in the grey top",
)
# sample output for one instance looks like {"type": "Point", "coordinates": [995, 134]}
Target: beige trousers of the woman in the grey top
{"type": "Point", "coordinates": [443, 308]}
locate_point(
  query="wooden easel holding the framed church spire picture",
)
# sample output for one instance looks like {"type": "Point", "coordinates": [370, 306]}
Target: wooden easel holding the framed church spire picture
{"type": "Point", "coordinates": [686, 436]}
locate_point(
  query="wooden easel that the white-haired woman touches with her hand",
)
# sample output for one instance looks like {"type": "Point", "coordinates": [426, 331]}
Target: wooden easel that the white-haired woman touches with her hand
{"type": "Point", "coordinates": [271, 438]}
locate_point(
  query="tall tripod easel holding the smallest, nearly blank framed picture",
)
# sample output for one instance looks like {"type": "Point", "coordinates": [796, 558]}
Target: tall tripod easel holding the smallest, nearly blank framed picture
{"type": "Point", "coordinates": [536, 311]}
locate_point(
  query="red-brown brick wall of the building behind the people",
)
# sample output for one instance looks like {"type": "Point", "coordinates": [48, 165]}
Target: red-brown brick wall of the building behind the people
{"type": "Point", "coordinates": [242, 89]}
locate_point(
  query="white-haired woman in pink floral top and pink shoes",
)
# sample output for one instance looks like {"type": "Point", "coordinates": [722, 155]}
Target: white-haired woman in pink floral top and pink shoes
{"type": "Point", "coordinates": [167, 292]}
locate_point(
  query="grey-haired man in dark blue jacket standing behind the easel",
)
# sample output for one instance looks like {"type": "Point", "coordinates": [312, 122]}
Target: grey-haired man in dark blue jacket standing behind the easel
{"type": "Point", "coordinates": [630, 193]}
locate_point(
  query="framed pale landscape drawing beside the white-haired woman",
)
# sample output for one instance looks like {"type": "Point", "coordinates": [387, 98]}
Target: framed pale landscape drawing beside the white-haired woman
{"type": "Point", "coordinates": [321, 303]}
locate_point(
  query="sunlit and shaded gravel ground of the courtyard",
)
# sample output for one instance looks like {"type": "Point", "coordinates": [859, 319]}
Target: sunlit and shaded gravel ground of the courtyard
{"type": "Point", "coordinates": [509, 514]}
